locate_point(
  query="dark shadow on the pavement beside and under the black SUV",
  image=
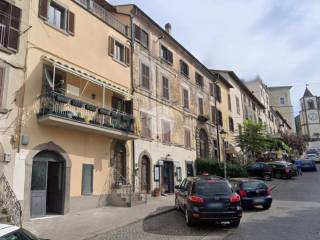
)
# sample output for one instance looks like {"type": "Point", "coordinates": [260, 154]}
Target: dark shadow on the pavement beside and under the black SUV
{"type": "Point", "coordinates": [173, 224]}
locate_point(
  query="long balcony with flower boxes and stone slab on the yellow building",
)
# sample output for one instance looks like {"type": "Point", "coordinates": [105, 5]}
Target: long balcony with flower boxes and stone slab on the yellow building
{"type": "Point", "coordinates": [59, 110]}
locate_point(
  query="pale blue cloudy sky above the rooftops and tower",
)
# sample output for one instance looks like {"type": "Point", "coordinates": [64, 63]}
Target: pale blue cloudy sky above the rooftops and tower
{"type": "Point", "coordinates": [279, 40]}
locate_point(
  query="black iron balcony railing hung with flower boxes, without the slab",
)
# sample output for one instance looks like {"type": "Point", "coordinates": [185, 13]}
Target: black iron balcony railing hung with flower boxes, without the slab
{"type": "Point", "coordinates": [76, 110]}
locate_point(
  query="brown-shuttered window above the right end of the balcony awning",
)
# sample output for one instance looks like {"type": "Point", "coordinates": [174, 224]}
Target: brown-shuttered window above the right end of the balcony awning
{"type": "Point", "coordinates": [119, 52]}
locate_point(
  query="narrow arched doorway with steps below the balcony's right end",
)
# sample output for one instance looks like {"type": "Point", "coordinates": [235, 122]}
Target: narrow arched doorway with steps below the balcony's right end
{"type": "Point", "coordinates": [120, 172]}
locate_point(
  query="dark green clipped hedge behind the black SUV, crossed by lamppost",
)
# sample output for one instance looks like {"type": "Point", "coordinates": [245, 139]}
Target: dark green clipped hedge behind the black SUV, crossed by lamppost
{"type": "Point", "coordinates": [215, 168]}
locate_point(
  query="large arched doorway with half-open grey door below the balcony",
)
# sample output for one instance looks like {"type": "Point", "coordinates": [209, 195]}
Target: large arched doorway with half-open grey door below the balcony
{"type": "Point", "coordinates": [47, 184]}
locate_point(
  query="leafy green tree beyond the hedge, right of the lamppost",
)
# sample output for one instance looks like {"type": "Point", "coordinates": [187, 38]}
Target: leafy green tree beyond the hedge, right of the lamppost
{"type": "Point", "coordinates": [252, 138]}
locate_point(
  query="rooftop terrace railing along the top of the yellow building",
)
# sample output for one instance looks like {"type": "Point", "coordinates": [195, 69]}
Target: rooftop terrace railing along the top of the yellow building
{"type": "Point", "coordinates": [104, 15]}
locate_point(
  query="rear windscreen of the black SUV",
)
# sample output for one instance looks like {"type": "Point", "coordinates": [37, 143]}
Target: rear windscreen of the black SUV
{"type": "Point", "coordinates": [208, 189]}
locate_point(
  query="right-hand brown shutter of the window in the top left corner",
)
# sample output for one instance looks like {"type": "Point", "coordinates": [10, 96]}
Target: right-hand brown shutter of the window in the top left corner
{"type": "Point", "coordinates": [14, 28]}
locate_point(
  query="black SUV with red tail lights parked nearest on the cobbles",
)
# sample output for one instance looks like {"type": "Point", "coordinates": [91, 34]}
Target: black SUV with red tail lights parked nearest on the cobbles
{"type": "Point", "coordinates": [208, 198]}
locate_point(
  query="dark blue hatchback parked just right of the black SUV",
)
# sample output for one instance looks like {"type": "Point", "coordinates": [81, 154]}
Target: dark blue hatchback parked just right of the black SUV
{"type": "Point", "coordinates": [253, 192]}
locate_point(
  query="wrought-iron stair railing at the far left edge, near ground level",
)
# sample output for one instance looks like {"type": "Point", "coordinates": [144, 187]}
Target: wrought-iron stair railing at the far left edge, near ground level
{"type": "Point", "coordinates": [10, 201]}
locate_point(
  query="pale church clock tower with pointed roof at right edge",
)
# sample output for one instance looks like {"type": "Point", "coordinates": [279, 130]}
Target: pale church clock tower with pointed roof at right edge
{"type": "Point", "coordinates": [310, 115]}
